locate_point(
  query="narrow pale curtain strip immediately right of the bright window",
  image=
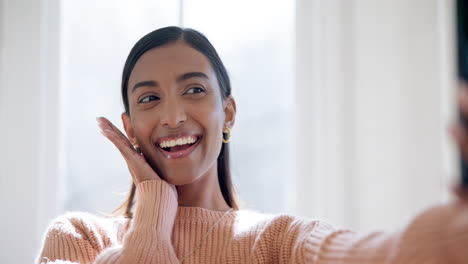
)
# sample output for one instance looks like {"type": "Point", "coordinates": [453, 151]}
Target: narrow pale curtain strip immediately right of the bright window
{"type": "Point", "coordinates": [324, 163]}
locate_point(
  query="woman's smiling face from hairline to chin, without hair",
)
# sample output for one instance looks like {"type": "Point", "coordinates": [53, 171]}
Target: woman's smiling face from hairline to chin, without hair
{"type": "Point", "coordinates": [173, 93]}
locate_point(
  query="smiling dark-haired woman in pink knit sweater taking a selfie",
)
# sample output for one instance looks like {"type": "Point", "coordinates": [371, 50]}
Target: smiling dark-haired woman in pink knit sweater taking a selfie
{"type": "Point", "coordinates": [178, 115]}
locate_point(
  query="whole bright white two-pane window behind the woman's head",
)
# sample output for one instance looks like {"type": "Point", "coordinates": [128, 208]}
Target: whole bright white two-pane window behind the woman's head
{"type": "Point", "coordinates": [258, 51]}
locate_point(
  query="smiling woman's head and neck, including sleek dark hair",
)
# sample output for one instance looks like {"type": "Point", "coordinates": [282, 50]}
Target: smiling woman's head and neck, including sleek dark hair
{"type": "Point", "coordinates": [181, 92]}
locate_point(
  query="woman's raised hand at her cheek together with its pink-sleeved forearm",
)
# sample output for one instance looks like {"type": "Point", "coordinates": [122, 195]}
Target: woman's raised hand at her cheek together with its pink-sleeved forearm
{"type": "Point", "coordinates": [149, 238]}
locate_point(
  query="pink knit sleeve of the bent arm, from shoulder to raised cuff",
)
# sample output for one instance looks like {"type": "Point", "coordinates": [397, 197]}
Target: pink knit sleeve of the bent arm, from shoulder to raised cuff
{"type": "Point", "coordinates": [148, 239]}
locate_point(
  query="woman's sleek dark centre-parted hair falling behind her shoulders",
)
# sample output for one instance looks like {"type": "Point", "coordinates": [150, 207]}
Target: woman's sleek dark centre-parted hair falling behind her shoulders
{"type": "Point", "coordinates": [198, 41]}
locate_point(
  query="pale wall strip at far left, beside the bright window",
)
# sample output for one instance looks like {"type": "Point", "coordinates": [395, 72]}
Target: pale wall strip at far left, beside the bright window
{"type": "Point", "coordinates": [28, 100]}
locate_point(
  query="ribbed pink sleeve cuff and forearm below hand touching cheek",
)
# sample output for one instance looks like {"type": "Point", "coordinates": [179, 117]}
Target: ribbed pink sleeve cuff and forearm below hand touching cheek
{"type": "Point", "coordinates": [149, 238]}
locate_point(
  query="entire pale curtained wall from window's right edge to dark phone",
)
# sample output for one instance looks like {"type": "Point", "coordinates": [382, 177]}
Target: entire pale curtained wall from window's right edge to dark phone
{"type": "Point", "coordinates": [383, 80]}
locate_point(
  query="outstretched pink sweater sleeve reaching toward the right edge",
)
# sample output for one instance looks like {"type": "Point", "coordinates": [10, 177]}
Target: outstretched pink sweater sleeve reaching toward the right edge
{"type": "Point", "coordinates": [438, 235]}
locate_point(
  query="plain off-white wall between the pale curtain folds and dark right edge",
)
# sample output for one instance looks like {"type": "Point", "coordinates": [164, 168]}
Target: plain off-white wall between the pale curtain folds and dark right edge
{"type": "Point", "coordinates": [399, 99]}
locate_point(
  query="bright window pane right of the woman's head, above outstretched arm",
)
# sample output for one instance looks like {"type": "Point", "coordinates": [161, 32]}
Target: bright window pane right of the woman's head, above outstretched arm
{"type": "Point", "coordinates": [255, 40]}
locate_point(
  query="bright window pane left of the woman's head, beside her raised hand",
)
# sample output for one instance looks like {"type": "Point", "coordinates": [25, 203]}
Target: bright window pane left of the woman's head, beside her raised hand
{"type": "Point", "coordinates": [96, 42]}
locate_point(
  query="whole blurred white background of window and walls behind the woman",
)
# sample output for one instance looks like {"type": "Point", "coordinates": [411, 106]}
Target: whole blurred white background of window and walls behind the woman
{"type": "Point", "coordinates": [343, 106]}
